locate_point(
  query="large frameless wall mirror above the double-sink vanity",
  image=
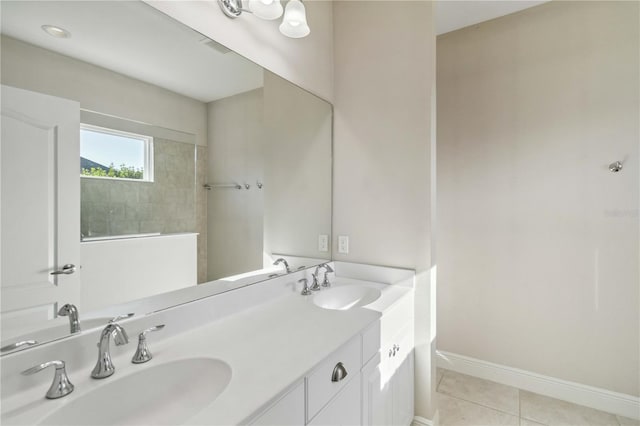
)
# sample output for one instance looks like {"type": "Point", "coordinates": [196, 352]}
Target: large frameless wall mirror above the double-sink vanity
{"type": "Point", "coordinates": [145, 165]}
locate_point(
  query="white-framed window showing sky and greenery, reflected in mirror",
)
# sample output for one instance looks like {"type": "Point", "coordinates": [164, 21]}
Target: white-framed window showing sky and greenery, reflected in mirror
{"type": "Point", "coordinates": [113, 154]}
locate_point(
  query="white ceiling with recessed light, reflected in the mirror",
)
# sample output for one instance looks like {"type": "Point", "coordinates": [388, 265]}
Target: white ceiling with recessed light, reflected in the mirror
{"type": "Point", "coordinates": [136, 40]}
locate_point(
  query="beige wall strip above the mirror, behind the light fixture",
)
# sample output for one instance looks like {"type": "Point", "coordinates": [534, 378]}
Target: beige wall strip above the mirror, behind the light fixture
{"type": "Point", "coordinates": [307, 62]}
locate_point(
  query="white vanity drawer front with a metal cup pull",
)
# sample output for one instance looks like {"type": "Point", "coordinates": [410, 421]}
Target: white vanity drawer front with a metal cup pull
{"type": "Point", "coordinates": [320, 388]}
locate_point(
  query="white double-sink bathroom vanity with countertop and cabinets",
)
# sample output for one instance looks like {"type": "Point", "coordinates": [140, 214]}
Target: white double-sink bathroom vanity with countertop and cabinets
{"type": "Point", "coordinates": [262, 354]}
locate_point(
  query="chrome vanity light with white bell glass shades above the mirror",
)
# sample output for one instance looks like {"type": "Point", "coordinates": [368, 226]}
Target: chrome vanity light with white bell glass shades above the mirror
{"type": "Point", "coordinates": [294, 24]}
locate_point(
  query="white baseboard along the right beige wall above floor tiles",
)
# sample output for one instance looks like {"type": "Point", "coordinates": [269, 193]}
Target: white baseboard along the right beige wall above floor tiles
{"type": "Point", "coordinates": [589, 396]}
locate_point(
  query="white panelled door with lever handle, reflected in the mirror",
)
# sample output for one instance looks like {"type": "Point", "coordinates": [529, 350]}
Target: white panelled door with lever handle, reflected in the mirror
{"type": "Point", "coordinates": [40, 207]}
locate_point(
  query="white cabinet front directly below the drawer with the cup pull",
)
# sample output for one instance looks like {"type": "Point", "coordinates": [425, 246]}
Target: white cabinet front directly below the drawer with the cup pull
{"type": "Point", "coordinates": [344, 408]}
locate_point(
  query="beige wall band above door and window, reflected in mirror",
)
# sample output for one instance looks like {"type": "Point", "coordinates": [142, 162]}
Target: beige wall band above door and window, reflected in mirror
{"type": "Point", "coordinates": [98, 89]}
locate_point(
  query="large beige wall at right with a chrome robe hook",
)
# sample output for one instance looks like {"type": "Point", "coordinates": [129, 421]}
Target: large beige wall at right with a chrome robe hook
{"type": "Point", "coordinates": [538, 241]}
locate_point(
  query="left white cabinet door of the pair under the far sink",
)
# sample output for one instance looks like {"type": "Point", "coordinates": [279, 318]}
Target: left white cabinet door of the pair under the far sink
{"type": "Point", "coordinates": [377, 401]}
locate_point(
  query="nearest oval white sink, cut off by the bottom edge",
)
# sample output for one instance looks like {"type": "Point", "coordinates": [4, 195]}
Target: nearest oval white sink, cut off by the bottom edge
{"type": "Point", "coordinates": [165, 394]}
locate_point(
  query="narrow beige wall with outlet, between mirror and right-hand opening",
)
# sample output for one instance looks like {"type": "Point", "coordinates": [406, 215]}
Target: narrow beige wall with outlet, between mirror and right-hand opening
{"type": "Point", "coordinates": [384, 72]}
